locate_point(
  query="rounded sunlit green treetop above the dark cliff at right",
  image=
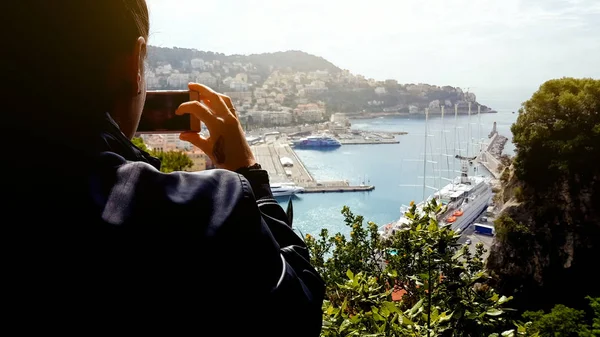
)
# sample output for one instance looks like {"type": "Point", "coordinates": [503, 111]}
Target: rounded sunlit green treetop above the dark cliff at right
{"type": "Point", "coordinates": [558, 132]}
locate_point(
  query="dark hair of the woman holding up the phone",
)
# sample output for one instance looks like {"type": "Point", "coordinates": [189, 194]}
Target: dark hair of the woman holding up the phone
{"type": "Point", "coordinates": [64, 49]}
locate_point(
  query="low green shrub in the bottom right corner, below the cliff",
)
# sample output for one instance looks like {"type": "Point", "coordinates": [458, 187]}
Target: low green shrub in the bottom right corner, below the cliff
{"type": "Point", "coordinates": [564, 321]}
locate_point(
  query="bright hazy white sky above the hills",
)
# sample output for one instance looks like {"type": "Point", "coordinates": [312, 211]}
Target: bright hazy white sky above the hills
{"type": "Point", "coordinates": [482, 44]}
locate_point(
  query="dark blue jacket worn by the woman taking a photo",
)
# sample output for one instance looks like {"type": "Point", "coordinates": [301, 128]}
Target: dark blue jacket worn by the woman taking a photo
{"type": "Point", "coordinates": [99, 238]}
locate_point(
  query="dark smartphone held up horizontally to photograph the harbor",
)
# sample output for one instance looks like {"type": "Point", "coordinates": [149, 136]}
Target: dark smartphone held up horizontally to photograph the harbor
{"type": "Point", "coordinates": [159, 115]}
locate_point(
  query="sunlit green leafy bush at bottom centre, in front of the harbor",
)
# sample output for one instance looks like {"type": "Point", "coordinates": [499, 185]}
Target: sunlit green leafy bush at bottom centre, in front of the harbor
{"type": "Point", "coordinates": [444, 285]}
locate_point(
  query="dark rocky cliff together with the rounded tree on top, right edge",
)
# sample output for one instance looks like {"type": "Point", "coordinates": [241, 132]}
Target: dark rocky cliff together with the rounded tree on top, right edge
{"type": "Point", "coordinates": [554, 235]}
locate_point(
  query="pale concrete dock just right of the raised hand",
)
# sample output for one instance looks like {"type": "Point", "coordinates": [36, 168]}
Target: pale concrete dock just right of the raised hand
{"type": "Point", "coordinates": [270, 156]}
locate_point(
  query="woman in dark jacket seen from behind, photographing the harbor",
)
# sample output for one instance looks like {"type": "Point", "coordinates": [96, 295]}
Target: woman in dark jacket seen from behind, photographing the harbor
{"type": "Point", "coordinates": [96, 231]}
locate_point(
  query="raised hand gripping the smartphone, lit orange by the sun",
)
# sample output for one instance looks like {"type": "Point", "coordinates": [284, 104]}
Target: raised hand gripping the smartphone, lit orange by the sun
{"type": "Point", "coordinates": [226, 146]}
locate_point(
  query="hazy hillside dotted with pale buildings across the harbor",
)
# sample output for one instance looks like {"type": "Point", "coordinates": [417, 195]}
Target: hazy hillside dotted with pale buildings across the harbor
{"type": "Point", "coordinates": [276, 81]}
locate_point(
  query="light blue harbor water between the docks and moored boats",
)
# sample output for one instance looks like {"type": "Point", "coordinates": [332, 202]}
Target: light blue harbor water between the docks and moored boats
{"type": "Point", "coordinates": [397, 171]}
